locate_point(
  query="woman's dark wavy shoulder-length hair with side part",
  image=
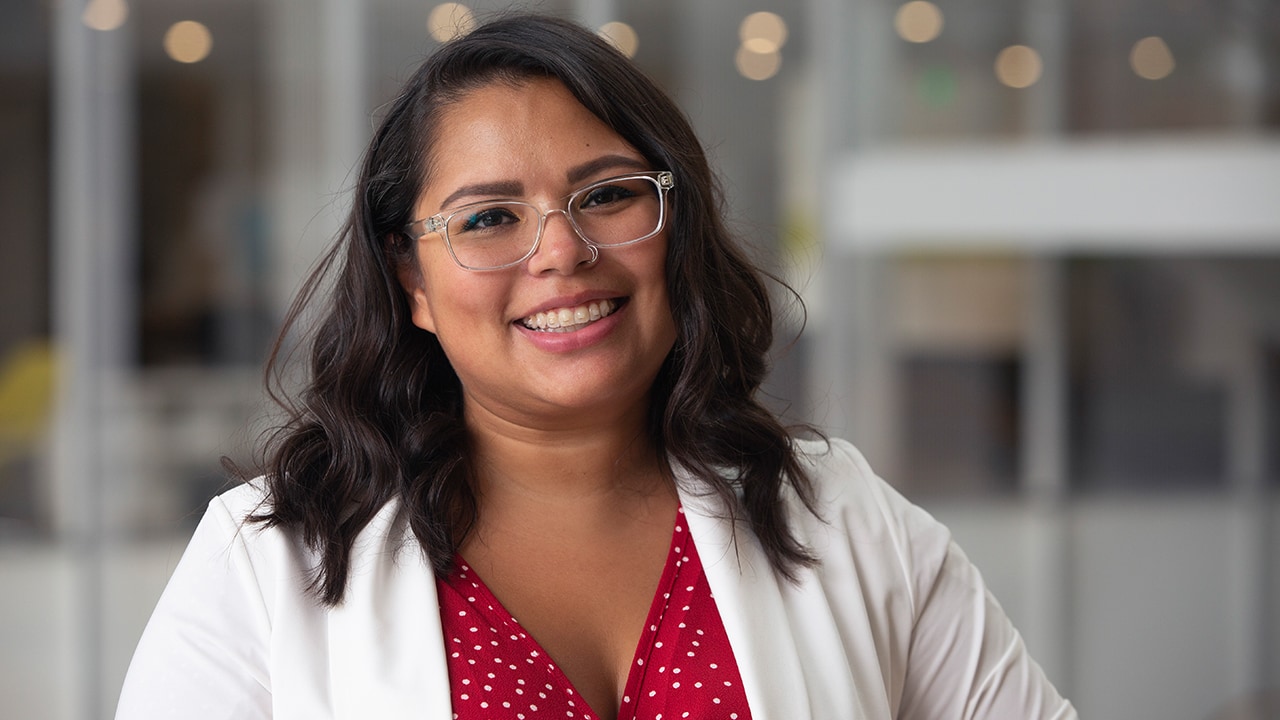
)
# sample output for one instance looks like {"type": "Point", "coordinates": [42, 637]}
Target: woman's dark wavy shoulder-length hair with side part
{"type": "Point", "coordinates": [381, 413]}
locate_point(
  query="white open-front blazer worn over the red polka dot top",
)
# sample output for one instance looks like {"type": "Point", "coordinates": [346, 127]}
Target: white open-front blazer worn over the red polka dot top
{"type": "Point", "coordinates": [895, 623]}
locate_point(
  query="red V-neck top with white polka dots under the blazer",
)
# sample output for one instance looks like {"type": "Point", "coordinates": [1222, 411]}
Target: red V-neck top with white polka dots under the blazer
{"type": "Point", "coordinates": [684, 666]}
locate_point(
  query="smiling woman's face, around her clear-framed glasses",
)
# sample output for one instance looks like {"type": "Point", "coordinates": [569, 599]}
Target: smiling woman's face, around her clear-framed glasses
{"type": "Point", "coordinates": [533, 142]}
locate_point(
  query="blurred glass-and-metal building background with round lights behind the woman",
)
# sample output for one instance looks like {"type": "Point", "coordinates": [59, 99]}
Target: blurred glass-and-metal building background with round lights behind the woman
{"type": "Point", "coordinates": [1039, 243]}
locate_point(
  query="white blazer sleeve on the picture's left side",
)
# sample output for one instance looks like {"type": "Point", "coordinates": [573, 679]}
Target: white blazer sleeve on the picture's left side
{"type": "Point", "coordinates": [205, 653]}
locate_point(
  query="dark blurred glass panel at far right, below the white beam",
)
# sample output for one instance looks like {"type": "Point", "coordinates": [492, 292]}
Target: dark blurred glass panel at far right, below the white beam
{"type": "Point", "coordinates": [1162, 353]}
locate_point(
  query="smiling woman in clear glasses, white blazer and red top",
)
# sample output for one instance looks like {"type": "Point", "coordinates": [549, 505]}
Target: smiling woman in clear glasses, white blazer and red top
{"type": "Point", "coordinates": [532, 397]}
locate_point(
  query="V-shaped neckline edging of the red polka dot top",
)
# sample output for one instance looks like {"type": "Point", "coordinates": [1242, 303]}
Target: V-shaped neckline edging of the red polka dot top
{"type": "Point", "coordinates": [497, 614]}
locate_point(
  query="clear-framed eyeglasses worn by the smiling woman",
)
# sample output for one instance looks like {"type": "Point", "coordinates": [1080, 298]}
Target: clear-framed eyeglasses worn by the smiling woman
{"type": "Point", "coordinates": [501, 234]}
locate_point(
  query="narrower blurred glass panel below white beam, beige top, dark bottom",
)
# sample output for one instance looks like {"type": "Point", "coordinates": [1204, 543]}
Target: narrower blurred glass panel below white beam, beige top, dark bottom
{"type": "Point", "coordinates": [959, 325]}
